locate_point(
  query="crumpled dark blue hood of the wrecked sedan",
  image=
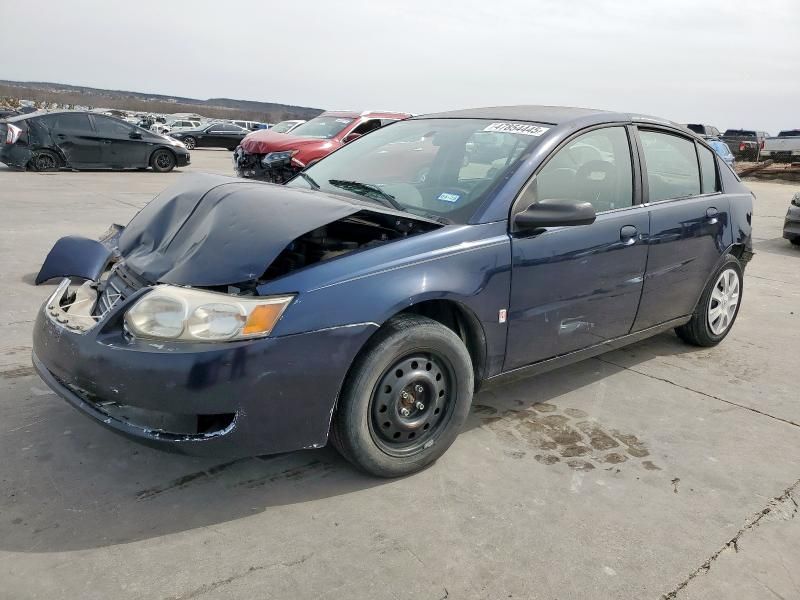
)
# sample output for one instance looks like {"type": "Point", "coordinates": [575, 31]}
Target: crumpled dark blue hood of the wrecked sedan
{"type": "Point", "coordinates": [211, 230]}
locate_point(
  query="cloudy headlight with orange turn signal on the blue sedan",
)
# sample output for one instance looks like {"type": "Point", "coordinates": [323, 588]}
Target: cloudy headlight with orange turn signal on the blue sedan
{"type": "Point", "coordinates": [175, 313]}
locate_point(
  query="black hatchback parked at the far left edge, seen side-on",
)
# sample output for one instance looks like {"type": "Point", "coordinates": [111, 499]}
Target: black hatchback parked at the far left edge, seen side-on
{"type": "Point", "coordinates": [82, 140]}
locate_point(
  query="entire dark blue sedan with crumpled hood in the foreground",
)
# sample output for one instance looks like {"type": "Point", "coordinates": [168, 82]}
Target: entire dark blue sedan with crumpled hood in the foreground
{"type": "Point", "coordinates": [234, 318]}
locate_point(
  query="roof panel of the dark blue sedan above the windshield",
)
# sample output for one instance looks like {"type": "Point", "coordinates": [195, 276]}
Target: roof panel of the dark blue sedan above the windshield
{"type": "Point", "coordinates": [549, 115]}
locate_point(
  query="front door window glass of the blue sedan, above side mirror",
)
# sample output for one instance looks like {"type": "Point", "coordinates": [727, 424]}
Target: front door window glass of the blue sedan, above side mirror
{"type": "Point", "coordinates": [594, 167]}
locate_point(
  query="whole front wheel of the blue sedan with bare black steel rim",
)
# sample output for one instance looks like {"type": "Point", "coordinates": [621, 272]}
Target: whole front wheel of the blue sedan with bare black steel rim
{"type": "Point", "coordinates": [429, 363]}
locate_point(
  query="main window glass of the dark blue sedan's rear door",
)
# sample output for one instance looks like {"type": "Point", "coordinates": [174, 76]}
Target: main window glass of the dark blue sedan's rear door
{"type": "Point", "coordinates": [672, 170]}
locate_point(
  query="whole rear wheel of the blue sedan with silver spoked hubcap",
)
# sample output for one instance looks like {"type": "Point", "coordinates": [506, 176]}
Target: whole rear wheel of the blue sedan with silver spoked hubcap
{"type": "Point", "coordinates": [718, 307]}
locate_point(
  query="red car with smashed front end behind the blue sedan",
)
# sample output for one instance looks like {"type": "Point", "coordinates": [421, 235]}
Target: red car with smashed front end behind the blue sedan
{"type": "Point", "coordinates": [277, 157]}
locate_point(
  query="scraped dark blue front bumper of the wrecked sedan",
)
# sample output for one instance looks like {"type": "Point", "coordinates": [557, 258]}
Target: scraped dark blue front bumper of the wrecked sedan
{"type": "Point", "coordinates": [223, 399]}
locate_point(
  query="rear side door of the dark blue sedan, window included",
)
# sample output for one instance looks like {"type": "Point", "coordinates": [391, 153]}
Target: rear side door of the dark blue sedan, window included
{"type": "Point", "coordinates": [689, 219]}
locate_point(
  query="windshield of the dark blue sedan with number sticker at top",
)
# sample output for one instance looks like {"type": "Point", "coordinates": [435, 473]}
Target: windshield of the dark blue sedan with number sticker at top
{"type": "Point", "coordinates": [441, 168]}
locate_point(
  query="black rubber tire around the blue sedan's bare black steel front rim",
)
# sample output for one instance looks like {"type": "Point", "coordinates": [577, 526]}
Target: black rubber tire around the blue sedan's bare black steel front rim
{"type": "Point", "coordinates": [405, 335]}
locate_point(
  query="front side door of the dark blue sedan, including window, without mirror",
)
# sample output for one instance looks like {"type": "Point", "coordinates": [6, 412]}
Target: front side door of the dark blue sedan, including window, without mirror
{"type": "Point", "coordinates": [574, 287]}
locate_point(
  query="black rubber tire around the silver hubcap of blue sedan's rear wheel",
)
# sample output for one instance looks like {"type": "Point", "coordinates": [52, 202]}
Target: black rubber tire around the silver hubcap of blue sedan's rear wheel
{"type": "Point", "coordinates": [699, 331]}
